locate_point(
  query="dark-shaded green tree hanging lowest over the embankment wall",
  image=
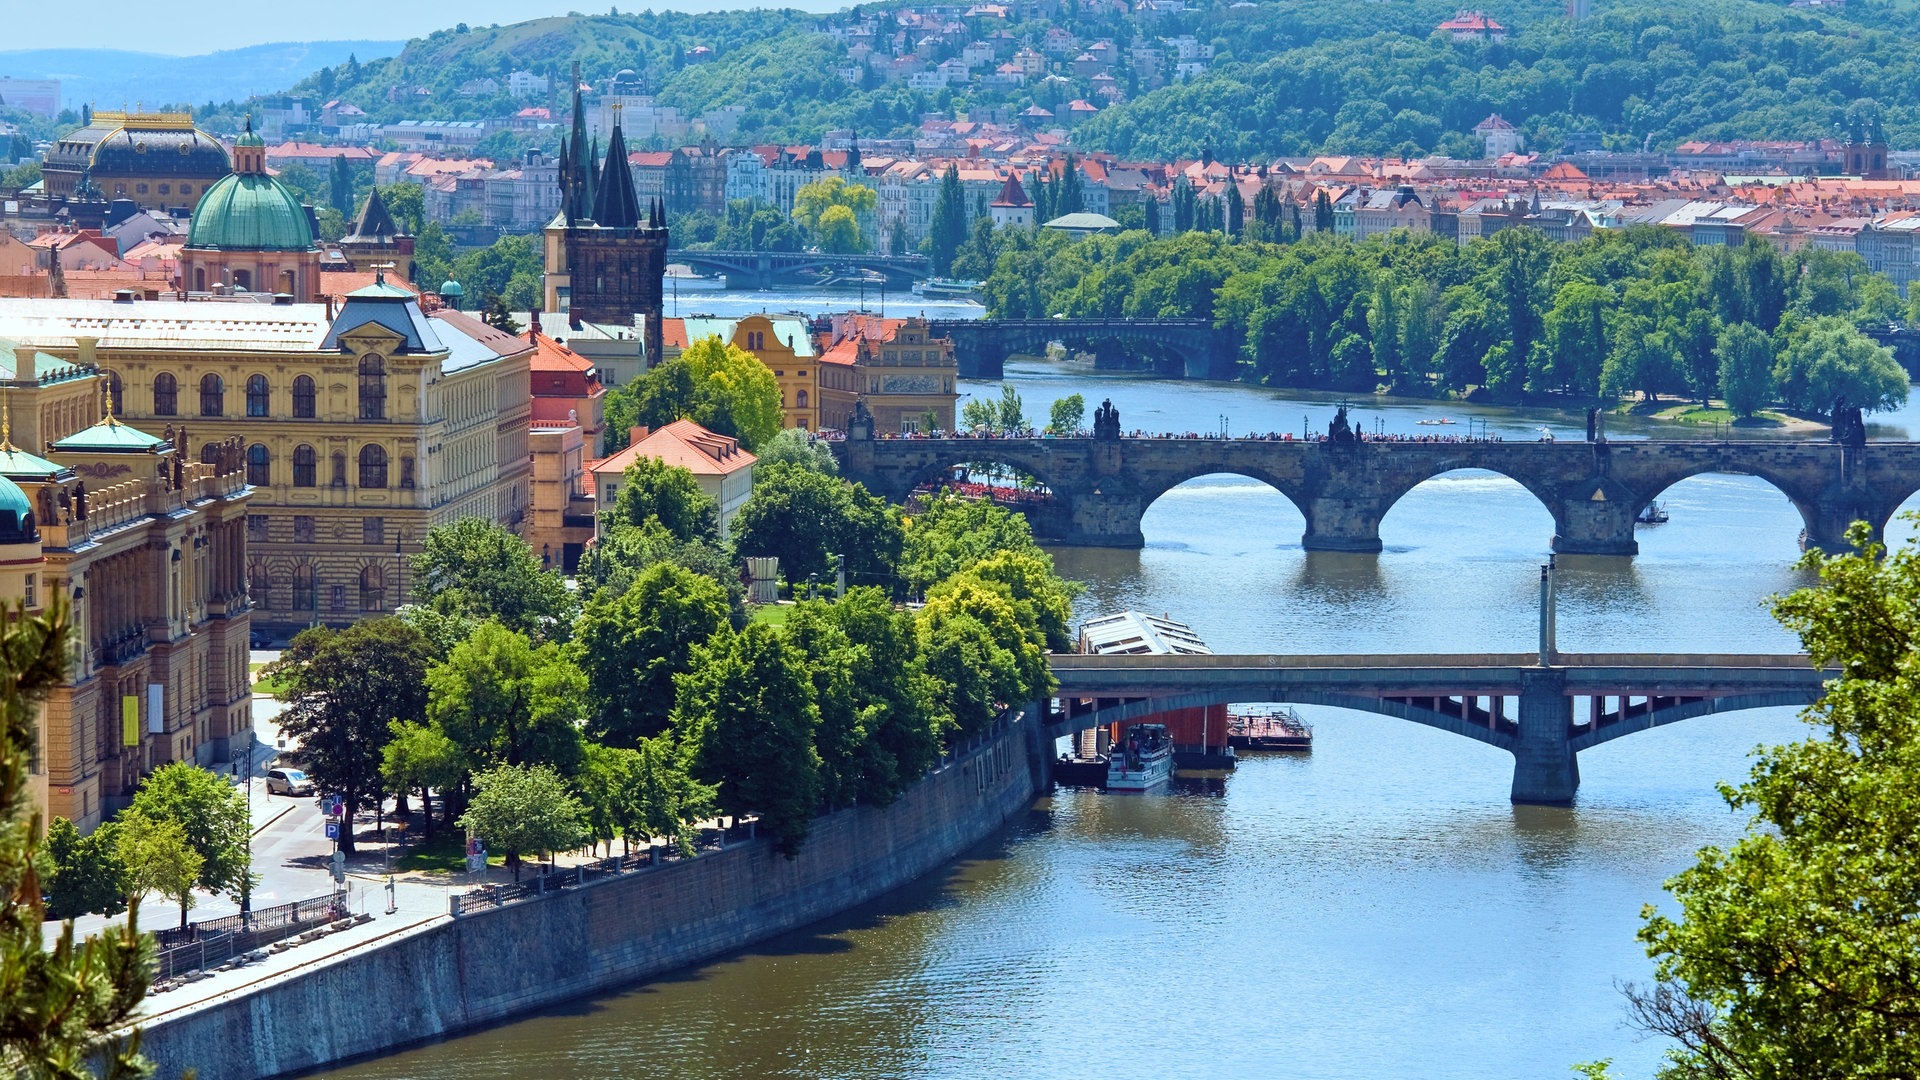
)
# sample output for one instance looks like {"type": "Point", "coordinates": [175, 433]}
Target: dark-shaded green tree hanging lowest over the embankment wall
{"type": "Point", "coordinates": [748, 704]}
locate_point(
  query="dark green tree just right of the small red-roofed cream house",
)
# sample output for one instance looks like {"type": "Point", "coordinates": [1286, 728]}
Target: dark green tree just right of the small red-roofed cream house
{"type": "Point", "coordinates": [805, 520]}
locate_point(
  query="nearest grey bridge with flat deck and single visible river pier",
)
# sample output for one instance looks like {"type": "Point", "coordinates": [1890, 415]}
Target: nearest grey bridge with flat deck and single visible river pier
{"type": "Point", "coordinates": [1545, 716]}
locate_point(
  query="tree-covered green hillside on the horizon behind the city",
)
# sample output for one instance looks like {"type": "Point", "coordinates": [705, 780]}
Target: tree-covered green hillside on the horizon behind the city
{"type": "Point", "coordinates": [1285, 80]}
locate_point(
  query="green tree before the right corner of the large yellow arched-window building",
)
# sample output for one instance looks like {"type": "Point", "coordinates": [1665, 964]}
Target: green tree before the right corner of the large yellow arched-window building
{"type": "Point", "coordinates": [479, 570]}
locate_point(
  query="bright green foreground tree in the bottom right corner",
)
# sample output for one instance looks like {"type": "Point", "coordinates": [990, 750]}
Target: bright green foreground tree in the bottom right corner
{"type": "Point", "coordinates": [1792, 954]}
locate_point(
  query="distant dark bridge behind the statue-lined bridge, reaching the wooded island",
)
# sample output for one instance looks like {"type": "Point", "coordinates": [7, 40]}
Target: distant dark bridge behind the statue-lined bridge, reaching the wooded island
{"type": "Point", "coordinates": [1180, 347]}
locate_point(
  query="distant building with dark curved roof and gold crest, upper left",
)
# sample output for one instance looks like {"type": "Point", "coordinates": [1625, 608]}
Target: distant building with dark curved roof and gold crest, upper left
{"type": "Point", "coordinates": [156, 160]}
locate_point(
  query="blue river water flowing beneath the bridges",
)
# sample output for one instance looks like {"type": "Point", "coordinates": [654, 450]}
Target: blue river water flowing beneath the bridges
{"type": "Point", "coordinates": [1376, 910]}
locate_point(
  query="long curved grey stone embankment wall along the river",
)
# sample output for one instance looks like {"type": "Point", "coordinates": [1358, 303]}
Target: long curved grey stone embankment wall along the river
{"type": "Point", "coordinates": [508, 962]}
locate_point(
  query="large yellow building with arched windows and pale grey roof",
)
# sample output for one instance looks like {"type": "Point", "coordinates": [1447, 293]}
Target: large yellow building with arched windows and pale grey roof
{"type": "Point", "coordinates": [358, 430]}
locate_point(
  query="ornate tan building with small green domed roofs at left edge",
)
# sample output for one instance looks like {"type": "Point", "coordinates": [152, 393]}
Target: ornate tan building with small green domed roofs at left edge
{"type": "Point", "coordinates": [151, 551]}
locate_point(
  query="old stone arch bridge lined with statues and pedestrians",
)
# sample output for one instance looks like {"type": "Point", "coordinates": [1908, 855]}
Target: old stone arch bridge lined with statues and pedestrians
{"type": "Point", "coordinates": [1103, 487]}
